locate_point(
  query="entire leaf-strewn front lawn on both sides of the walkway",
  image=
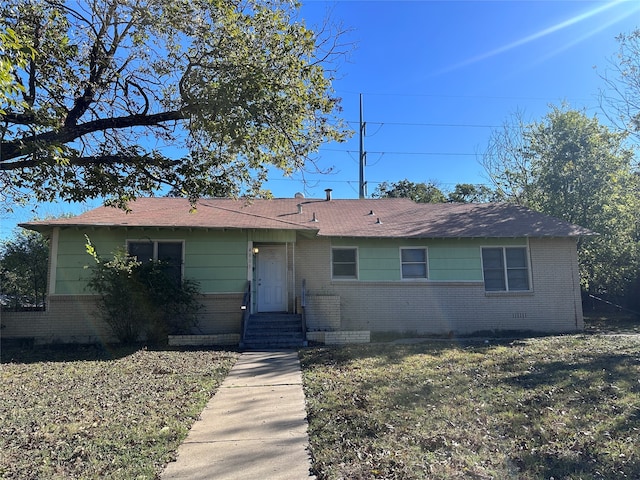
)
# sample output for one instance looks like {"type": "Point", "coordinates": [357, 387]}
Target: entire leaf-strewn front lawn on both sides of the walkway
{"type": "Point", "coordinates": [564, 407]}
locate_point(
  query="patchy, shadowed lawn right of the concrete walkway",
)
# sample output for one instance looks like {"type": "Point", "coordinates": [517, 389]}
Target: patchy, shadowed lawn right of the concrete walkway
{"type": "Point", "coordinates": [557, 407]}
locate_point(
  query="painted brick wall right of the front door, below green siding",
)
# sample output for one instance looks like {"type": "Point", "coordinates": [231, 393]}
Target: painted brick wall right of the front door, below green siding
{"type": "Point", "coordinates": [553, 305]}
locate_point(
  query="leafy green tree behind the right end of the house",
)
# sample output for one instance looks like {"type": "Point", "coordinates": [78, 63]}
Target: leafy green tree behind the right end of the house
{"type": "Point", "coordinates": [572, 167]}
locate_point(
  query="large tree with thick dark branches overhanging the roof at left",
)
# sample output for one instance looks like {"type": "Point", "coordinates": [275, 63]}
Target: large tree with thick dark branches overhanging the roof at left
{"type": "Point", "coordinates": [123, 97]}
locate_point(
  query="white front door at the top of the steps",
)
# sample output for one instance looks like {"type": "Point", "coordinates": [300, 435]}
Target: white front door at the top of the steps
{"type": "Point", "coordinates": [272, 278]}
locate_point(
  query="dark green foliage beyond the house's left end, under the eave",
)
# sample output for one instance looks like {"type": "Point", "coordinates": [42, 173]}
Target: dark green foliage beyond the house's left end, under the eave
{"type": "Point", "coordinates": [24, 261]}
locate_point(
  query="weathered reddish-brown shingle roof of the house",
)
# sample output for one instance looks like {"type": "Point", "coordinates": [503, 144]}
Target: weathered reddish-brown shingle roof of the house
{"type": "Point", "coordinates": [377, 218]}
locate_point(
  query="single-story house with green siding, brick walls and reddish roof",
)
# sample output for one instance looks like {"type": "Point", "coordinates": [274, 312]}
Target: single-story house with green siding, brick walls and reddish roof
{"type": "Point", "coordinates": [383, 265]}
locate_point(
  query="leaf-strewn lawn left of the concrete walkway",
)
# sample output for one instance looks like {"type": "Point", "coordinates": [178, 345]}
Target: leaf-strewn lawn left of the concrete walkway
{"type": "Point", "coordinates": [87, 413]}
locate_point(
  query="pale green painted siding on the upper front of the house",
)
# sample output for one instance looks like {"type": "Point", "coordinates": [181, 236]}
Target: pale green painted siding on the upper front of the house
{"type": "Point", "coordinates": [218, 260]}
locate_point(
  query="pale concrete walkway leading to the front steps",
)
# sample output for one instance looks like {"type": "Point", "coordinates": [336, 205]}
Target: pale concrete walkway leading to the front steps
{"type": "Point", "coordinates": [254, 427]}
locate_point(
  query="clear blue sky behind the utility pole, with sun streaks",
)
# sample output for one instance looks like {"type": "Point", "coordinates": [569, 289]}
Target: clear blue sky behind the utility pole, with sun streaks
{"type": "Point", "coordinates": [437, 77]}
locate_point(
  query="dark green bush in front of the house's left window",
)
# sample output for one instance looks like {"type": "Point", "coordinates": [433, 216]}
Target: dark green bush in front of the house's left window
{"type": "Point", "coordinates": [142, 300]}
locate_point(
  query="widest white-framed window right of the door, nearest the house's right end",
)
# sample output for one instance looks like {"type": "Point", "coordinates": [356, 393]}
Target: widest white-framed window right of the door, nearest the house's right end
{"type": "Point", "coordinates": [505, 269]}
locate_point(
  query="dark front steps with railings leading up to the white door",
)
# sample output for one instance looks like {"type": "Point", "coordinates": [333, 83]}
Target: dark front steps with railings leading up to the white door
{"type": "Point", "coordinates": [267, 331]}
